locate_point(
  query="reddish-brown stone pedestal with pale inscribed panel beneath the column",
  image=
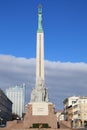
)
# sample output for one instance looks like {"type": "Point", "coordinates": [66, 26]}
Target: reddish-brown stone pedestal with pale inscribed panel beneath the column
{"type": "Point", "coordinates": [40, 114]}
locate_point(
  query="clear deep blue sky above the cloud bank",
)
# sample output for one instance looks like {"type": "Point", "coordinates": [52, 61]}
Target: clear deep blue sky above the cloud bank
{"type": "Point", "coordinates": [64, 24]}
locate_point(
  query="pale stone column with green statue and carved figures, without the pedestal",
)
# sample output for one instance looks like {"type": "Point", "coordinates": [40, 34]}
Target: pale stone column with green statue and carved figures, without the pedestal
{"type": "Point", "coordinates": [39, 93]}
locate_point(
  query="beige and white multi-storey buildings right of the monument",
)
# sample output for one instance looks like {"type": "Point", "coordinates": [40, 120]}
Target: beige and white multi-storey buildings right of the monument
{"type": "Point", "coordinates": [76, 111]}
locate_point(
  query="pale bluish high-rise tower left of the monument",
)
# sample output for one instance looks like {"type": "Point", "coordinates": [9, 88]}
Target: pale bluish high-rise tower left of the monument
{"type": "Point", "coordinates": [17, 96]}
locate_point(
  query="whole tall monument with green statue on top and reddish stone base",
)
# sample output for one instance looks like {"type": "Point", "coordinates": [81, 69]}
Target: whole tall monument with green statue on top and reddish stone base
{"type": "Point", "coordinates": [40, 112]}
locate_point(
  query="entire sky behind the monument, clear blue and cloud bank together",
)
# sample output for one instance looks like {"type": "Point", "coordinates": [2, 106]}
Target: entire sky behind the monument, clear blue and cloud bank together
{"type": "Point", "coordinates": [65, 29]}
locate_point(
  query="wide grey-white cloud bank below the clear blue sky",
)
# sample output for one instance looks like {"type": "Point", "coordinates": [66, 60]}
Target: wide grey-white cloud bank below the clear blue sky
{"type": "Point", "coordinates": [62, 79]}
